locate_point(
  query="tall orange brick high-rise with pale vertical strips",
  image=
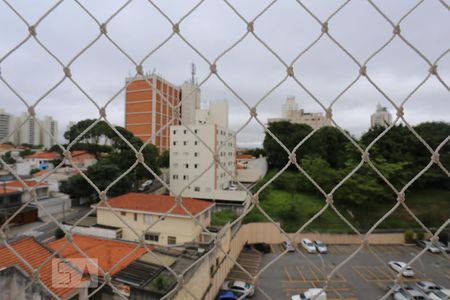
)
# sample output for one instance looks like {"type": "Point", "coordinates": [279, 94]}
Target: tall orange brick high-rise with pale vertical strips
{"type": "Point", "coordinates": [147, 110]}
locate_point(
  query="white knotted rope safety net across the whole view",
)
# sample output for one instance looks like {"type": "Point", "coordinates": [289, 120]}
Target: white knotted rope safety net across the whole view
{"type": "Point", "coordinates": [214, 71]}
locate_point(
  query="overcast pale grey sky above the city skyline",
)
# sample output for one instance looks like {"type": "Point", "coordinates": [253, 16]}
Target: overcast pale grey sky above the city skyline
{"type": "Point", "coordinates": [250, 69]}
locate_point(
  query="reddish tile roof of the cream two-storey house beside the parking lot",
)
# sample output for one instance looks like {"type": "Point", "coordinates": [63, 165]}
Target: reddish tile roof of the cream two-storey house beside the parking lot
{"type": "Point", "coordinates": [157, 203]}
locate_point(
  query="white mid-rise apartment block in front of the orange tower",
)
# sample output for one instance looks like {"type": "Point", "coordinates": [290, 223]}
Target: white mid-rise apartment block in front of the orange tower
{"type": "Point", "coordinates": [190, 156]}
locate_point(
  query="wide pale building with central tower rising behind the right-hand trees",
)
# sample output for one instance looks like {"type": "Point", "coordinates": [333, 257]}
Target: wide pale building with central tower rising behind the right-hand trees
{"type": "Point", "coordinates": [293, 114]}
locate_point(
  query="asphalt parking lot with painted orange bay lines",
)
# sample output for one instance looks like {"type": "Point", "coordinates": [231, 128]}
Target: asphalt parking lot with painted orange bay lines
{"type": "Point", "coordinates": [363, 277]}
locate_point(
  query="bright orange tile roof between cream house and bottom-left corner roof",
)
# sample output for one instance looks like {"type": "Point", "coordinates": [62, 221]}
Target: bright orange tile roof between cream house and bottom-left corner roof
{"type": "Point", "coordinates": [107, 252]}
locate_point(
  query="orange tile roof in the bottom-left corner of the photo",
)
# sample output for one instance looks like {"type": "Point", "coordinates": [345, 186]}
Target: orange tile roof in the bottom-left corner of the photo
{"type": "Point", "coordinates": [35, 254]}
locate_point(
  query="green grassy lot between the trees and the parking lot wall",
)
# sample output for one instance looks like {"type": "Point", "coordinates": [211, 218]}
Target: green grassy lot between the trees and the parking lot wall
{"type": "Point", "coordinates": [292, 211]}
